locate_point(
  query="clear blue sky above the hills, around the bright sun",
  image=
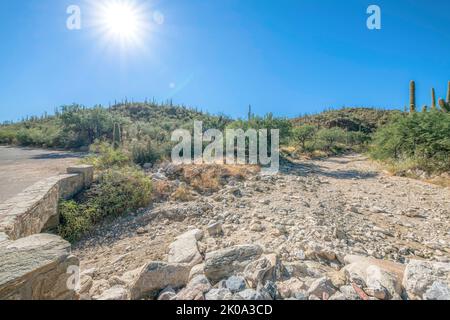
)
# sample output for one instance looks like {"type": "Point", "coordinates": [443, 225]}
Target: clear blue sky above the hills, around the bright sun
{"type": "Point", "coordinates": [286, 56]}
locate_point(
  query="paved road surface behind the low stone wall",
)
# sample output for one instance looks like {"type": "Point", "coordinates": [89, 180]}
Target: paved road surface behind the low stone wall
{"type": "Point", "coordinates": [22, 167]}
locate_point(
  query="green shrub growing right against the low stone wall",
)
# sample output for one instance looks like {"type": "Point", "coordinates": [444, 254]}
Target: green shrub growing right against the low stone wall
{"type": "Point", "coordinates": [116, 192]}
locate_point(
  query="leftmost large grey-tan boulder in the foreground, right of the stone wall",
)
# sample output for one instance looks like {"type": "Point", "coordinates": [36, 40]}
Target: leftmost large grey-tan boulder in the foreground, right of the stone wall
{"type": "Point", "coordinates": [155, 276]}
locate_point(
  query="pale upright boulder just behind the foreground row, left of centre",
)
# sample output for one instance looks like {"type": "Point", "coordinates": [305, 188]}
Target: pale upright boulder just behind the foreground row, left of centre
{"type": "Point", "coordinates": [184, 249]}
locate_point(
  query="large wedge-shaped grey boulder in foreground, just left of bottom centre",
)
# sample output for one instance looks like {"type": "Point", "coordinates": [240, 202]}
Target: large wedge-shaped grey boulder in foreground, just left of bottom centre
{"type": "Point", "coordinates": [223, 263]}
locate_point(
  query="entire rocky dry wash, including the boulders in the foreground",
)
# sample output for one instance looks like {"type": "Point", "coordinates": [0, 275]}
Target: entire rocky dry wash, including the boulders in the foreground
{"type": "Point", "coordinates": [338, 228]}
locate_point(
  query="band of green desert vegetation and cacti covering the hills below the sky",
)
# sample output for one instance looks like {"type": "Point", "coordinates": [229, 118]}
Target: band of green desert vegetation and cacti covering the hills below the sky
{"type": "Point", "coordinates": [140, 133]}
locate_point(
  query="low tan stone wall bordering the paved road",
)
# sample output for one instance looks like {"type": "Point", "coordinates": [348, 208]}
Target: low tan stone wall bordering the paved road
{"type": "Point", "coordinates": [34, 265]}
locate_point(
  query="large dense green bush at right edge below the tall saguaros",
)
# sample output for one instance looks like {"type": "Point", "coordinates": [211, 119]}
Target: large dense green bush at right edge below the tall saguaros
{"type": "Point", "coordinates": [420, 139]}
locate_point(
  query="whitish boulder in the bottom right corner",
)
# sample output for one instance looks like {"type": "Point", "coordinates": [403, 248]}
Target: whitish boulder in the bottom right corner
{"type": "Point", "coordinates": [427, 280]}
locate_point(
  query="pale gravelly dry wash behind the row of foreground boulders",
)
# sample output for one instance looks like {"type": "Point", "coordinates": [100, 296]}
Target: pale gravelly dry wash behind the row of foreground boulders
{"type": "Point", "coordinates": [333, 207]}
